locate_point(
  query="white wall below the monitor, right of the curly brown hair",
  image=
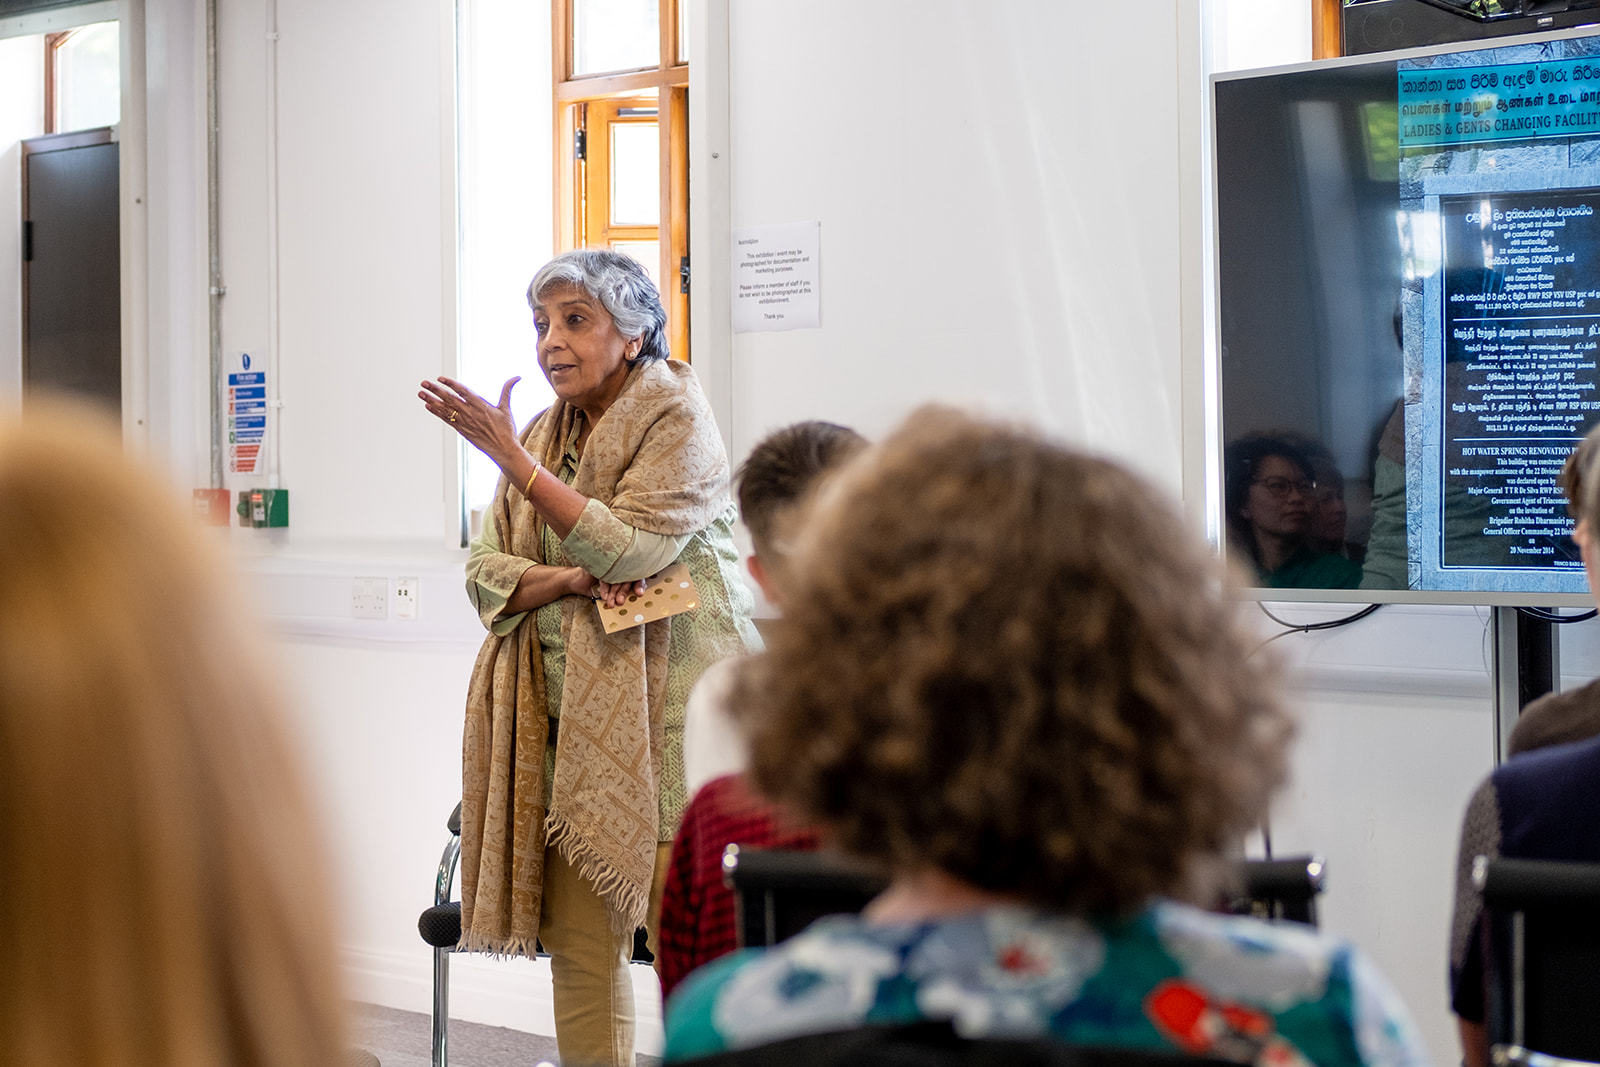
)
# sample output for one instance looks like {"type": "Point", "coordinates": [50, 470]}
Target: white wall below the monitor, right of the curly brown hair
{"type": "Point", "coordinates": [1396, 729]}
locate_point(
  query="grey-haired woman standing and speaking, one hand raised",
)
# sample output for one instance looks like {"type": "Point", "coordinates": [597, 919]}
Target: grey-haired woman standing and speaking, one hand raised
{"type": "Point", "coordinates": [574, 745]}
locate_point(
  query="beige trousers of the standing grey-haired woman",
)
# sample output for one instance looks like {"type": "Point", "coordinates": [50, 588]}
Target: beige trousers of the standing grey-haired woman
{"type": "Point", "coordinates": [594, 994]}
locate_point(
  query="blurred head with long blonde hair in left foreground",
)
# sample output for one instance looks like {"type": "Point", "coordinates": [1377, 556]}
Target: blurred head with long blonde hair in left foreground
{"type": "Point", "coordinates": [166, 897]}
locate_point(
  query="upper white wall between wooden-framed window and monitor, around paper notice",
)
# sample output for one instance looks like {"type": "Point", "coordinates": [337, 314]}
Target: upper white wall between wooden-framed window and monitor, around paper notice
{"type": "Point", "coordinates": [999, 194]}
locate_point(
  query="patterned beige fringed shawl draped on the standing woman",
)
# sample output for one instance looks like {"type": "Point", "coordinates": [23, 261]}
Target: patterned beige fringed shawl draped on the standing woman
{"type": "Point", "coordinates": [658, 463]}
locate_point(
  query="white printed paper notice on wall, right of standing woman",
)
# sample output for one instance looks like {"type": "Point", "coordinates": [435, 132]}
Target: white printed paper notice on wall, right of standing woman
{"type": "Point", "coordinates": [777, 274]}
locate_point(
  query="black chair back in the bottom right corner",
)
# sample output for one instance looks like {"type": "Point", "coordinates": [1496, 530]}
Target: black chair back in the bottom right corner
{"type": "Point", "coordinates": [1543, 956]}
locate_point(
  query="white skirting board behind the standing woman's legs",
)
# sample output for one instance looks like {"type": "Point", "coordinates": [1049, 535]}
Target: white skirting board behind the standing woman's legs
{"type": "Point", "coordinates": [513, 994]}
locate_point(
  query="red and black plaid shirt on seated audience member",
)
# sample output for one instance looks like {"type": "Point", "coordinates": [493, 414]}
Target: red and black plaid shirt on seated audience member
{"type": "Point", "coordinates": [698, 921]}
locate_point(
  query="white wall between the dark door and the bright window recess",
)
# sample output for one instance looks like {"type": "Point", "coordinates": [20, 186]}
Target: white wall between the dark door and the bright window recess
{"type": "Point", "coordinates": [362, 254]}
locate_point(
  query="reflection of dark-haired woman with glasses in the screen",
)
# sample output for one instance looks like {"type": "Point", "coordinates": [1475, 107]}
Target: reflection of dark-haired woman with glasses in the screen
{"type": "Point", "coordinates": [1271, 495]}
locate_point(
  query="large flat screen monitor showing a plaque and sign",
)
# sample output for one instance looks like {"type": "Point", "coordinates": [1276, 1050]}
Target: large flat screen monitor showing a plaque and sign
{"type": "Point", "coordinates": [1409, 321]}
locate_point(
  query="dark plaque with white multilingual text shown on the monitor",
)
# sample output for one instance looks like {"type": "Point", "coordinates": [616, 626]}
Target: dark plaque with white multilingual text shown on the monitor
{"type": "Point", "coordinates": [1521, 324]}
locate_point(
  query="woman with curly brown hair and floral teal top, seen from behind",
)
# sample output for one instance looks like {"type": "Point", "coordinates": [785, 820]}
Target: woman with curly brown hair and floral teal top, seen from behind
{"type": "Point", "coordinates": [1009, 676]}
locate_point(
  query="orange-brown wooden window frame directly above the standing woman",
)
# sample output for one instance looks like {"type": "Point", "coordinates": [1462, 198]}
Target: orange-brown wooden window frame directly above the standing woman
{"type": "Point", "coordinates": [668, 82]}
